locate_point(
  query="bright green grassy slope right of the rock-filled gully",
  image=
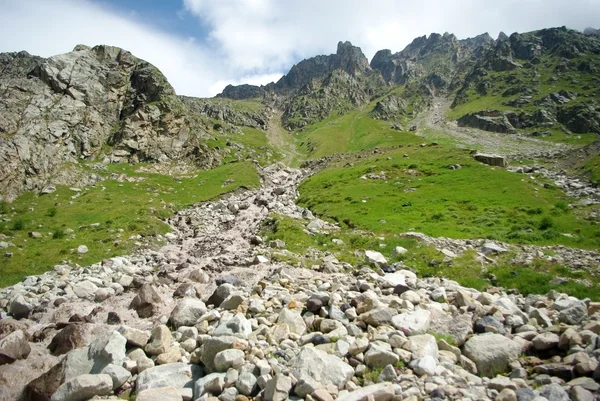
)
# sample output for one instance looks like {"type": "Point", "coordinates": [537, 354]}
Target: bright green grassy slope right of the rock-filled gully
{"type": "Point", "coordinates": [476, 201]}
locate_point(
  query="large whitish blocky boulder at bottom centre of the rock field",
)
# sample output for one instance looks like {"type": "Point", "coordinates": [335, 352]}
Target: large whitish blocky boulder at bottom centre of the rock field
{"type": "Point", "coordinates": [317, 366]}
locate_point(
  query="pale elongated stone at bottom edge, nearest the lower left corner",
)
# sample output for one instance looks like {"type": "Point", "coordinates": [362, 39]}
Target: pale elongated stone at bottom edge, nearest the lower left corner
{"type": "Point", "coordinates": [84, 387]}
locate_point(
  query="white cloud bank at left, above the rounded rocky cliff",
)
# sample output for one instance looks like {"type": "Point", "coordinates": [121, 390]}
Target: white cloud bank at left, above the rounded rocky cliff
{"type": "Point", "coordinates": [49, 27]}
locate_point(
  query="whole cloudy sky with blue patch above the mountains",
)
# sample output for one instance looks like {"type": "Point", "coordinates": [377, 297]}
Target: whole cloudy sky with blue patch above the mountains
{"type": "Point", "coordinates": [202, 45]}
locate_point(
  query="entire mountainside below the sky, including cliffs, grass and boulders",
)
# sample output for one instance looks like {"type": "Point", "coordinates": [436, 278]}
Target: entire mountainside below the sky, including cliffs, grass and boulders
{"type": "Point", "coordinates": [423, 226]}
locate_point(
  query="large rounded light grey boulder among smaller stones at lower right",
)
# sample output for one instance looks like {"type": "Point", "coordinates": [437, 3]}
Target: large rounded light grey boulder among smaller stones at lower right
{"type": "Point", "coordinates": [492, 353]}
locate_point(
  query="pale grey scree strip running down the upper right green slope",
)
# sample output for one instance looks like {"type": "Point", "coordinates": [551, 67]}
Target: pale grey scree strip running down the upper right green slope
{"type": "Point", "coordinates": [432, 124]}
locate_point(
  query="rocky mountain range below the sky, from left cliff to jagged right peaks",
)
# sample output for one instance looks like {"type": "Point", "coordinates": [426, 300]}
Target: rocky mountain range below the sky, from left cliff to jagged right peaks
{"type": "Point", "coordinates": [103, 103]}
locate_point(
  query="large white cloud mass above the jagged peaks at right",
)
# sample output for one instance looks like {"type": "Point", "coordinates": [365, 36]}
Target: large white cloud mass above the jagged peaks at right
{"type": "Point", "coordinates": [256, 34]}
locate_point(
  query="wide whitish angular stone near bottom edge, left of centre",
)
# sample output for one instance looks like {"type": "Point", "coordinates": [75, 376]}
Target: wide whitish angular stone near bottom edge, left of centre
{"type": "Point", "coordinates": [176, 374]}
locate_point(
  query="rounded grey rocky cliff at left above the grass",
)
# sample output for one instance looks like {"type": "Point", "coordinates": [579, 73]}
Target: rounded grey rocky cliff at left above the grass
{"type": "Point", "coordinates": [69, 107]}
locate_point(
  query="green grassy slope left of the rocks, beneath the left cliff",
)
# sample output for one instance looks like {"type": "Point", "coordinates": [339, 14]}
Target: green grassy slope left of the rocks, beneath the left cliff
{"type": "Point", "coordinates": [106, 217]}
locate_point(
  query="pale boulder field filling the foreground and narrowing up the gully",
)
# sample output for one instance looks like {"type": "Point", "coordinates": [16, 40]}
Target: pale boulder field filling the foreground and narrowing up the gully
{"type": "Point", "coordinates": [209, 315]}
